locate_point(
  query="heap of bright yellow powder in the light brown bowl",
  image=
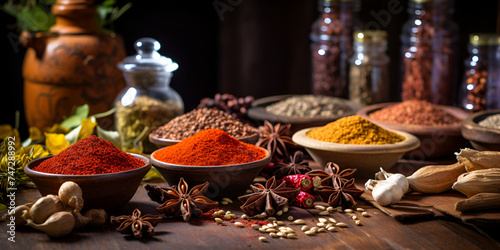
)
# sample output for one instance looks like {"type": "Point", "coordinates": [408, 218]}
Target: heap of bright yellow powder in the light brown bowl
{"type": "Point", "coordinates": [354, 130]}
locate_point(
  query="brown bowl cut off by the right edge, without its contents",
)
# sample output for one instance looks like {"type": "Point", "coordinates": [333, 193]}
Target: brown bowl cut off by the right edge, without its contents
{"type": "Point", "coordinates": [481, 138]}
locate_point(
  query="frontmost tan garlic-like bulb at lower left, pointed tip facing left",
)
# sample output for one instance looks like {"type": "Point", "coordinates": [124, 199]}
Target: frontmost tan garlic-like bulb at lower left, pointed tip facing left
{"type": "Point", "coordinates": [57, 225]}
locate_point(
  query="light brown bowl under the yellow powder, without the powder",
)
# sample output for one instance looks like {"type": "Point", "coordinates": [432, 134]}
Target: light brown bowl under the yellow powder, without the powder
{"type": "Point", "coordinates": [367, 159]}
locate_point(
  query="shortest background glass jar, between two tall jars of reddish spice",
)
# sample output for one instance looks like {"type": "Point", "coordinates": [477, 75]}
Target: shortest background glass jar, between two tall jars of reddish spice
{"type": "Point", "coordinates": [369, 73]}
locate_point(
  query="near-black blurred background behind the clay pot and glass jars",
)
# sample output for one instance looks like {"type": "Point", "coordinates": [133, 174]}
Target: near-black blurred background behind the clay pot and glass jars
{"type": "Point", "coordinates": [242, 47]}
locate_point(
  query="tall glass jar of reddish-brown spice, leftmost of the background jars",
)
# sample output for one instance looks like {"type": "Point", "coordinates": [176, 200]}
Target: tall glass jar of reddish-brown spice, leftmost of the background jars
{"type": "Point", "coordinates": [331, 46]}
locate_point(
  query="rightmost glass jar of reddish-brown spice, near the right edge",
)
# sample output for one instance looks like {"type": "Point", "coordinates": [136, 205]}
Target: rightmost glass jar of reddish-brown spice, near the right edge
{"type": "Point", "coordinates": [472, 95]}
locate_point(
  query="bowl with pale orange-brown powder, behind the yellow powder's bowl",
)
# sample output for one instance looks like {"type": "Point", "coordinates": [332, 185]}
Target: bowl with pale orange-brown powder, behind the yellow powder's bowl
{"type": "Point", "coordinates": [438, 127]}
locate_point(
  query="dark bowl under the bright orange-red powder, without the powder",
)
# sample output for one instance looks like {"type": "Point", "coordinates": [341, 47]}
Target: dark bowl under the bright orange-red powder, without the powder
{"type": "Point", "coordinates": [225, 181]}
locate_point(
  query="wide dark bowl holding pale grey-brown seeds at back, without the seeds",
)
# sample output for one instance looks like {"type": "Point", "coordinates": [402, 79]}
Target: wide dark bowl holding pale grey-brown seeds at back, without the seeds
{"type": "Point", "coordinates": [258, 112]}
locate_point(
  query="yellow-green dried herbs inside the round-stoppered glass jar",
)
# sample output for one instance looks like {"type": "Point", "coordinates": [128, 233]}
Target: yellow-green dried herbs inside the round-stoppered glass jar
{"type": "Point", "coordinates": [144, 112]}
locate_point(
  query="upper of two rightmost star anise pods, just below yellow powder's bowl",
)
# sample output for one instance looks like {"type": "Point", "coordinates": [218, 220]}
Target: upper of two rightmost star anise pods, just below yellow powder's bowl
{"type": "Point", "coordinates": [332, 174]}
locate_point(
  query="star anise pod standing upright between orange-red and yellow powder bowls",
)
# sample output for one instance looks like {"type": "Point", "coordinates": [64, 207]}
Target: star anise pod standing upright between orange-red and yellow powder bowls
{"type": "Point", "coordinates": [275, 138]}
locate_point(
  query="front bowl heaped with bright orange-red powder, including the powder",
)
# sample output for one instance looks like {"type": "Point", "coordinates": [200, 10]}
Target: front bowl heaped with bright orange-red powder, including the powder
{"type": "Point", "coordinates": [212, 155]}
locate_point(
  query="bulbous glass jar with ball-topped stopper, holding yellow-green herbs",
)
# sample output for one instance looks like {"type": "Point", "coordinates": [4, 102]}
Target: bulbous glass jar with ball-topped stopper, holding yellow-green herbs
{"type": "Point", "coordinates": [147, 102]}
